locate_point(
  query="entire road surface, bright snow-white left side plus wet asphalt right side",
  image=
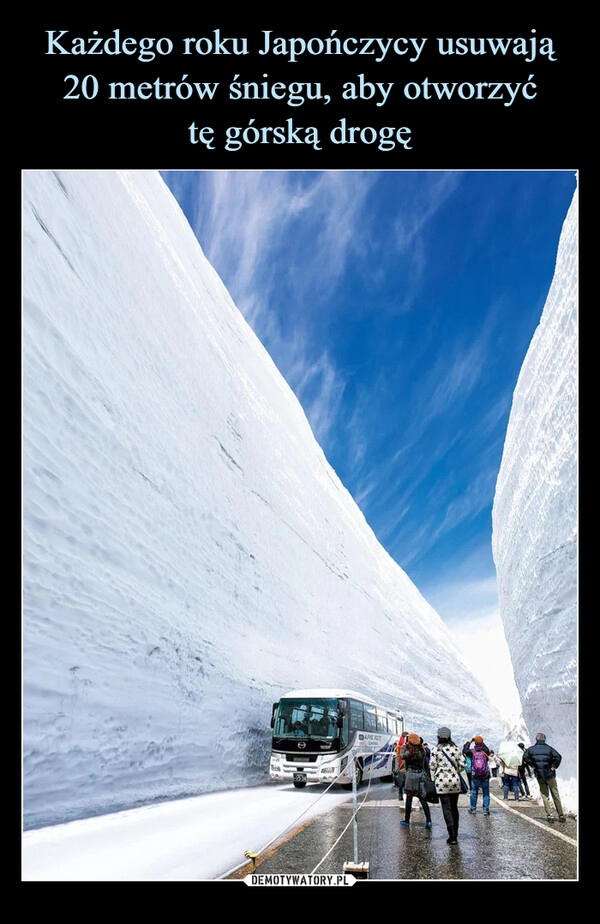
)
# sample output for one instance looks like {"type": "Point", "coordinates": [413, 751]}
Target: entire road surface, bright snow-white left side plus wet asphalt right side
{"type": "Point", "coordinates": [306, 831]}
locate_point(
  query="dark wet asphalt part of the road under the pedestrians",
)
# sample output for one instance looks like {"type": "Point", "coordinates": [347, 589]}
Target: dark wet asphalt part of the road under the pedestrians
{"type": "Point", "coordinates": [514, 843]}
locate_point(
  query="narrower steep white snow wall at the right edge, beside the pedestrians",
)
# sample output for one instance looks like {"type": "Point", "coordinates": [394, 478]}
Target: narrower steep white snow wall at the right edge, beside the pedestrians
{"type": "Point", "coordinates": [535, 517]}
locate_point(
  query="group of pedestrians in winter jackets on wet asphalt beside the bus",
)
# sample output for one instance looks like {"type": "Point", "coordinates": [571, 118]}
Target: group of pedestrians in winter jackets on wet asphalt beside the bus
{"type": "Point", "coordinates": [446, 761]}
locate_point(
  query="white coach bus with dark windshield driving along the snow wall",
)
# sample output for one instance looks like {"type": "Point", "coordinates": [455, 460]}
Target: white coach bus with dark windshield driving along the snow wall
{"type": "Point", "coordinates": [318, 735]}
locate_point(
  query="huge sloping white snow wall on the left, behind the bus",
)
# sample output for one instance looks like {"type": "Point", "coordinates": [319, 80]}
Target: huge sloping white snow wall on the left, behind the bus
{"type": "Point", "coordinates": [188, 553]}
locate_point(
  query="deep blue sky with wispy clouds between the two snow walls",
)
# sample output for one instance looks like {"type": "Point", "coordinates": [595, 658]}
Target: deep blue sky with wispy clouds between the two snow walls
{"type": "Point", "coordinates": [399, 306]}
